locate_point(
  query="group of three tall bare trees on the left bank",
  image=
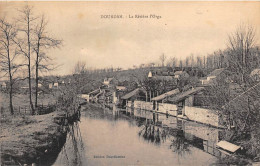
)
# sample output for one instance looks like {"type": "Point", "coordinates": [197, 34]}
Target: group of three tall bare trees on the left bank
{"type": "Point", "coordinates": [23, 47]}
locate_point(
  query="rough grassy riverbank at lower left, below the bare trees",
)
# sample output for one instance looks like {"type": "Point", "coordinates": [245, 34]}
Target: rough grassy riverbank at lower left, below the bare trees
{"type": "Point", "coordinates": [25, 137]}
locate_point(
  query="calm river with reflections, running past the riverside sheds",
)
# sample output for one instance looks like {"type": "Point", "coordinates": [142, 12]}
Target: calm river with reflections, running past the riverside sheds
{"type": "Point", "coordinates": [137, 137]}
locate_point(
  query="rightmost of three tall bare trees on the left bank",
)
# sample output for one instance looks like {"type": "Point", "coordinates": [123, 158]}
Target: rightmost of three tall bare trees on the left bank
{"type": "Point", "coordinates": [42, 42]}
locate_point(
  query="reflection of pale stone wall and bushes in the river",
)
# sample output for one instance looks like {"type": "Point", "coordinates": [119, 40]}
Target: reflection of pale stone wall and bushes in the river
{"type": "Point", "coordinates": [182, 134]}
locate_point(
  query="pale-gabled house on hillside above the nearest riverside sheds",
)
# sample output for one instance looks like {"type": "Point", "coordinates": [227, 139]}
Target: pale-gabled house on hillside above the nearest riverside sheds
{"type": "Point", "coordinates": [213, 76]}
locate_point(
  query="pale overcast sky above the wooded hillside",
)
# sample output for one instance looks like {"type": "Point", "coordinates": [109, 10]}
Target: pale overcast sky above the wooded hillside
{"type": "Point", "coordinates": [184, 28]}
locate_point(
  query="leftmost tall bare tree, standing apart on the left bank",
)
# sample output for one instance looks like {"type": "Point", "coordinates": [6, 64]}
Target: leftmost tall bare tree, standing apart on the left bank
{"type": "Point", "coordinates": [8, 56]}
